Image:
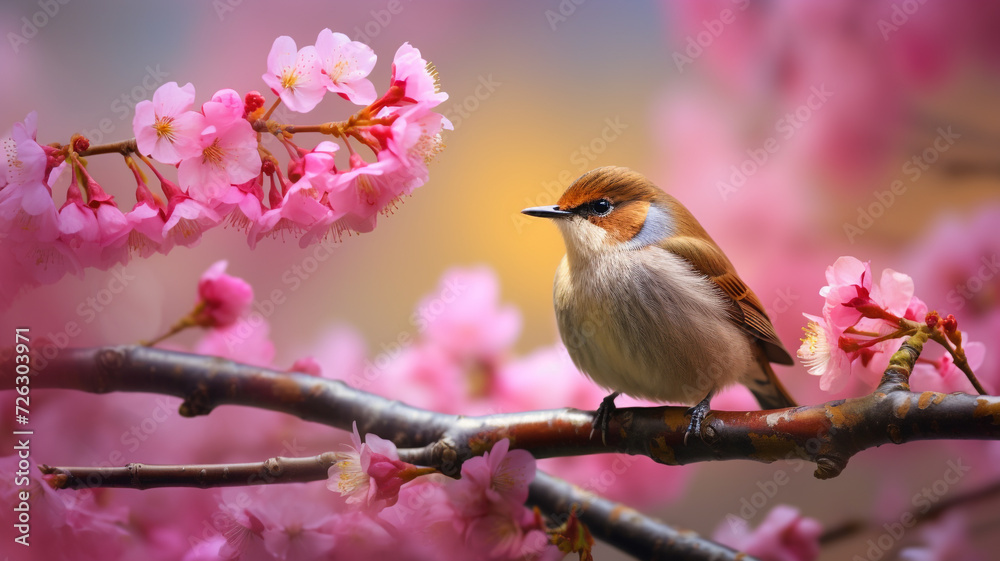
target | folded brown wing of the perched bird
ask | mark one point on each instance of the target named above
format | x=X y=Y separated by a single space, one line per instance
x=747 y=312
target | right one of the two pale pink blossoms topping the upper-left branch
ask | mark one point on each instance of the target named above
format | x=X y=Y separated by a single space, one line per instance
x=345 y=65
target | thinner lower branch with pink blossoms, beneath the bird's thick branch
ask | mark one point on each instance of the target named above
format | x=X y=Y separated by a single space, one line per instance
x=564 y=503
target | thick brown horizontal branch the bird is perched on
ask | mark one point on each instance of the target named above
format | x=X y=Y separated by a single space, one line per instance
x=828 y=434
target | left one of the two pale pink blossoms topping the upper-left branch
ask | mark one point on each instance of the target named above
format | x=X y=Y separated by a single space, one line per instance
x=295 y=75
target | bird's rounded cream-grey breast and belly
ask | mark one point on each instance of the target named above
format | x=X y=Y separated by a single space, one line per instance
x=643 y=322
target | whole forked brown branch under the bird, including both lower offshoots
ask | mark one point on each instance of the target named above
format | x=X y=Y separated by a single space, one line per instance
x=827 y=434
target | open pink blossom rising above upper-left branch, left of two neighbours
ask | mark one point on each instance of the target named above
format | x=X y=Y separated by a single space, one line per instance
x=164 y=127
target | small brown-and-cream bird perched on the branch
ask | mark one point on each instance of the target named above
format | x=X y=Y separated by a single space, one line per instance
x=648 y=304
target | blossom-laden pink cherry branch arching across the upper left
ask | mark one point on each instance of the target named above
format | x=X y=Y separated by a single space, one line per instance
x=222 y=162
